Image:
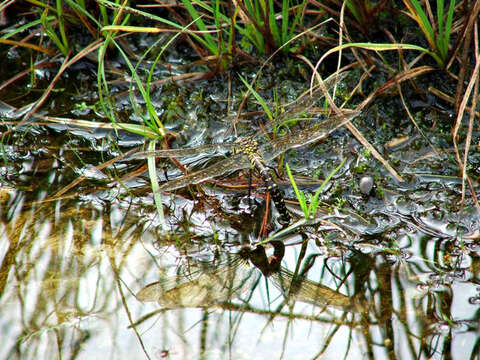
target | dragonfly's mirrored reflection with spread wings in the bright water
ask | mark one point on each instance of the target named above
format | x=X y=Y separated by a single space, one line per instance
x=197 y=286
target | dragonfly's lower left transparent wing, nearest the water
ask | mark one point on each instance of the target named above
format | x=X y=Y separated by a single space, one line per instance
x=233 y=163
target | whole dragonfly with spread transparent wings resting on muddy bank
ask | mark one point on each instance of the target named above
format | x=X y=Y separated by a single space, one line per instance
x=256 y=151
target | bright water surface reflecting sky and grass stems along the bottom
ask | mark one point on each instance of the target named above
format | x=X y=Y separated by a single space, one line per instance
x=70 y=271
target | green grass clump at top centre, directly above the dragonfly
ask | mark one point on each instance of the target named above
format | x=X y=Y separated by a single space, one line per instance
x=223 y=31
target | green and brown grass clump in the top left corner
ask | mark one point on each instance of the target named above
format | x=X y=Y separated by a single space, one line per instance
x=49 y=31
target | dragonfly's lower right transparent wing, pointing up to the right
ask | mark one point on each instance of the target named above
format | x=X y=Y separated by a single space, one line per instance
x=306 y=136
